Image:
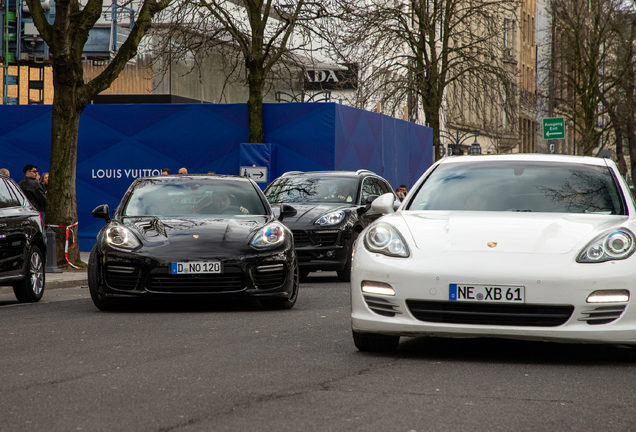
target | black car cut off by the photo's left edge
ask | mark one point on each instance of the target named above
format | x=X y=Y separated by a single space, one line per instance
x=22 y=243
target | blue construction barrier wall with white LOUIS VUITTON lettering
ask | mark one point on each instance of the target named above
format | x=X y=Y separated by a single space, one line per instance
x=119 y=143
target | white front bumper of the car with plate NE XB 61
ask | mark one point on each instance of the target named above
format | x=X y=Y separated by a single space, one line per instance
x=555 y=285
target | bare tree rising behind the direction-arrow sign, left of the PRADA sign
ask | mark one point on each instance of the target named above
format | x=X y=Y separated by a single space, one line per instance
x=256 y=39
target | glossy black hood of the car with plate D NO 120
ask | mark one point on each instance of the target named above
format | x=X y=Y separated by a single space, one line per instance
x=188 y=236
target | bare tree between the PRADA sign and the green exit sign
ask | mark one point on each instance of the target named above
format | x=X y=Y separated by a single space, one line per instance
x=441 y=56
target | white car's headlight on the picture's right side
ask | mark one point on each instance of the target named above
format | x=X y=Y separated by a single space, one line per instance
x=615 y=245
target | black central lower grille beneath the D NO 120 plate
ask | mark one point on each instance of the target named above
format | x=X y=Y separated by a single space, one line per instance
x=207 y=283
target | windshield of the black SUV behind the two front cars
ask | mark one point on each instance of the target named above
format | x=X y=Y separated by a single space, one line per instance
x=312 y=190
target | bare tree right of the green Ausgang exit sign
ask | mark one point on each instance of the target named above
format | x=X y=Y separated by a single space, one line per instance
x=583 y=68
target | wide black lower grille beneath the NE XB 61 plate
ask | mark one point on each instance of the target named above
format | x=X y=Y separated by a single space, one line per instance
x=490 y=314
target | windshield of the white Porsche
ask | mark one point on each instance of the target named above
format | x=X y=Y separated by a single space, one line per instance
x=520 y=186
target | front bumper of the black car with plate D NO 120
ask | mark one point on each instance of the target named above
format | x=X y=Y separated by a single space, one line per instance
x=139 y=275
